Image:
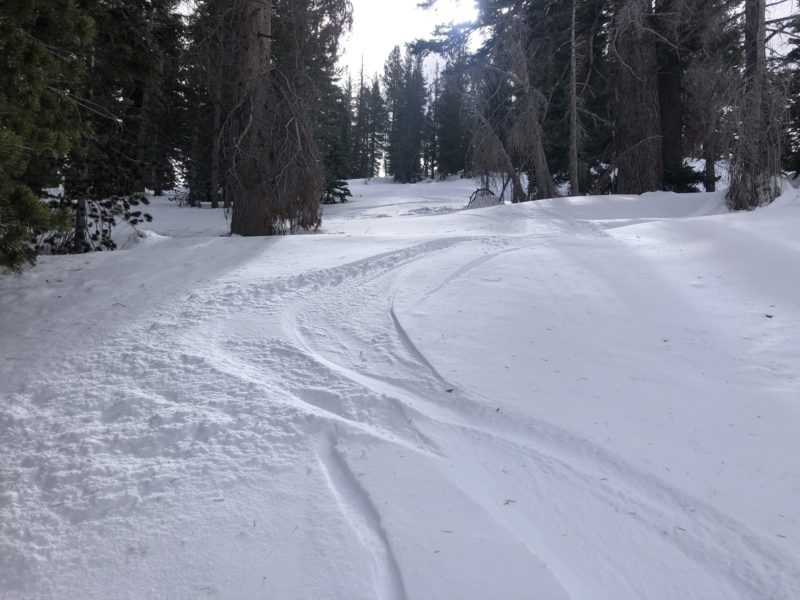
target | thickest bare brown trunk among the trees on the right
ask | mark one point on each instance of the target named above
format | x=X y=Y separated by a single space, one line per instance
x=638 y=117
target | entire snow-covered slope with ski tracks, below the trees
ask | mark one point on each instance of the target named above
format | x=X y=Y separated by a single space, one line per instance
x=579 y=398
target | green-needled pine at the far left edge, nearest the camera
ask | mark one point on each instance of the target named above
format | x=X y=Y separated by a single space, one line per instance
x=41 y=60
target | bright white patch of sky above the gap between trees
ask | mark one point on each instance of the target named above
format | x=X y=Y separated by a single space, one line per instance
x=380 y=25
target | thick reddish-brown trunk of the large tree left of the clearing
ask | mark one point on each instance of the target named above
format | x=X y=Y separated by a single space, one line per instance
x=251 y=193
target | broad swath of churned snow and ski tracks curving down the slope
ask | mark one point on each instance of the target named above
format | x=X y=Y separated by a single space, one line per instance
x=248 y=377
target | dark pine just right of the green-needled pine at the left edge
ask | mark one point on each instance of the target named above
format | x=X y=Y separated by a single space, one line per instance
x=130 y=95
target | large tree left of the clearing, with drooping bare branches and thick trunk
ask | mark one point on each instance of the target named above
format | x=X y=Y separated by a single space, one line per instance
x=267 y=101
